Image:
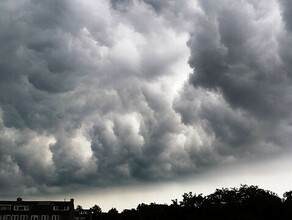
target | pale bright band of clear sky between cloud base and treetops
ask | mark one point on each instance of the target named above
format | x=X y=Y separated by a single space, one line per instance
x=128 y=197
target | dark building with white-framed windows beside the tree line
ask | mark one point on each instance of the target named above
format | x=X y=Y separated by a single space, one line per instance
x=36 y=210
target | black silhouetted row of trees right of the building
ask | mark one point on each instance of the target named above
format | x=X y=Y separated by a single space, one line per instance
x=245 y=202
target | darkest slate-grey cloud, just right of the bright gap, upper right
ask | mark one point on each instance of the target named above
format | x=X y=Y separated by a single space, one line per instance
x=236 y=55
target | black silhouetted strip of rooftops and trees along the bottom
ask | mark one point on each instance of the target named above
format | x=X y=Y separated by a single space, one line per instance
x=246 y=202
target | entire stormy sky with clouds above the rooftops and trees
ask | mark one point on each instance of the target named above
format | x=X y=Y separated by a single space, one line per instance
x=119 y=102
